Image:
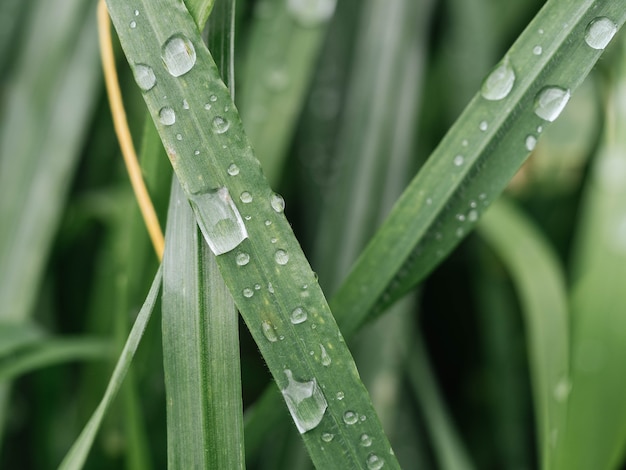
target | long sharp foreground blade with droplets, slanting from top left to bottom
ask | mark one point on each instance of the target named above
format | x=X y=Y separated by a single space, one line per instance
x=267 y=273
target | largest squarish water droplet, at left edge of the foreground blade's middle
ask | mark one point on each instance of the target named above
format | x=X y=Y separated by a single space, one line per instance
x=219 y=220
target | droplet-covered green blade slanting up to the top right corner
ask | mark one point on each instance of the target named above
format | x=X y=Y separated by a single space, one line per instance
x=478 y=156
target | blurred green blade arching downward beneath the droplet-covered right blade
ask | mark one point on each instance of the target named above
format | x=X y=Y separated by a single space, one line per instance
x=540 y=283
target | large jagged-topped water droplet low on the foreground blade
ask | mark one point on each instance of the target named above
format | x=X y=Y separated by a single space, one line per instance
x=305 y=401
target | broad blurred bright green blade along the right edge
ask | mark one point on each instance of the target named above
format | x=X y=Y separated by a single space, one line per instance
x=596 y=433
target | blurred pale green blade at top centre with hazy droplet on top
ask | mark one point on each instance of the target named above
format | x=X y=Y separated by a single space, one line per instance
x=282 y=50
